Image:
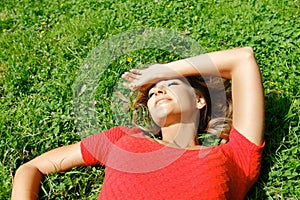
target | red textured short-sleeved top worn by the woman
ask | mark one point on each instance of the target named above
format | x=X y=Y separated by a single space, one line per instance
x=138 y=168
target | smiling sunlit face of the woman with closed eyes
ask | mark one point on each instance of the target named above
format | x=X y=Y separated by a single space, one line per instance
x=172 y=101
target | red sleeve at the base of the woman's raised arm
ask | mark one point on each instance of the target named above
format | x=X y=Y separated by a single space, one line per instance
x=245 y=154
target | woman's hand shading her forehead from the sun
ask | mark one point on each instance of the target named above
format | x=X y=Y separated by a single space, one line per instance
x=139 y=79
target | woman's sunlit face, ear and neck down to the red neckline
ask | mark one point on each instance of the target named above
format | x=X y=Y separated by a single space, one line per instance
x=174 y=106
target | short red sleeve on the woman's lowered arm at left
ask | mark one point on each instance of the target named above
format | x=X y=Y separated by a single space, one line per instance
x=95 y=148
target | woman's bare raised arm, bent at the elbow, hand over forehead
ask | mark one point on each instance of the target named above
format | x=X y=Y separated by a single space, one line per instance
x=239 y=65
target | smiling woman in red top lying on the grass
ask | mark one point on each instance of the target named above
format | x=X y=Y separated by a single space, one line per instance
x=176 y=166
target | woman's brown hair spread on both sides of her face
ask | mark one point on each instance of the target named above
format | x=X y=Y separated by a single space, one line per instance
x=215 y=116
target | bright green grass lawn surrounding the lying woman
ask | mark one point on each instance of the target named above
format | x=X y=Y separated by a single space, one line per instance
x=44 y=44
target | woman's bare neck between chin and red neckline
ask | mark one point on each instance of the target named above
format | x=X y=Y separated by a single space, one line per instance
x=182 y=135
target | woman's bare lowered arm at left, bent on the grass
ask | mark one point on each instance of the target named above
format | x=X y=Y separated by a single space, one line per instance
x=26 y=183
